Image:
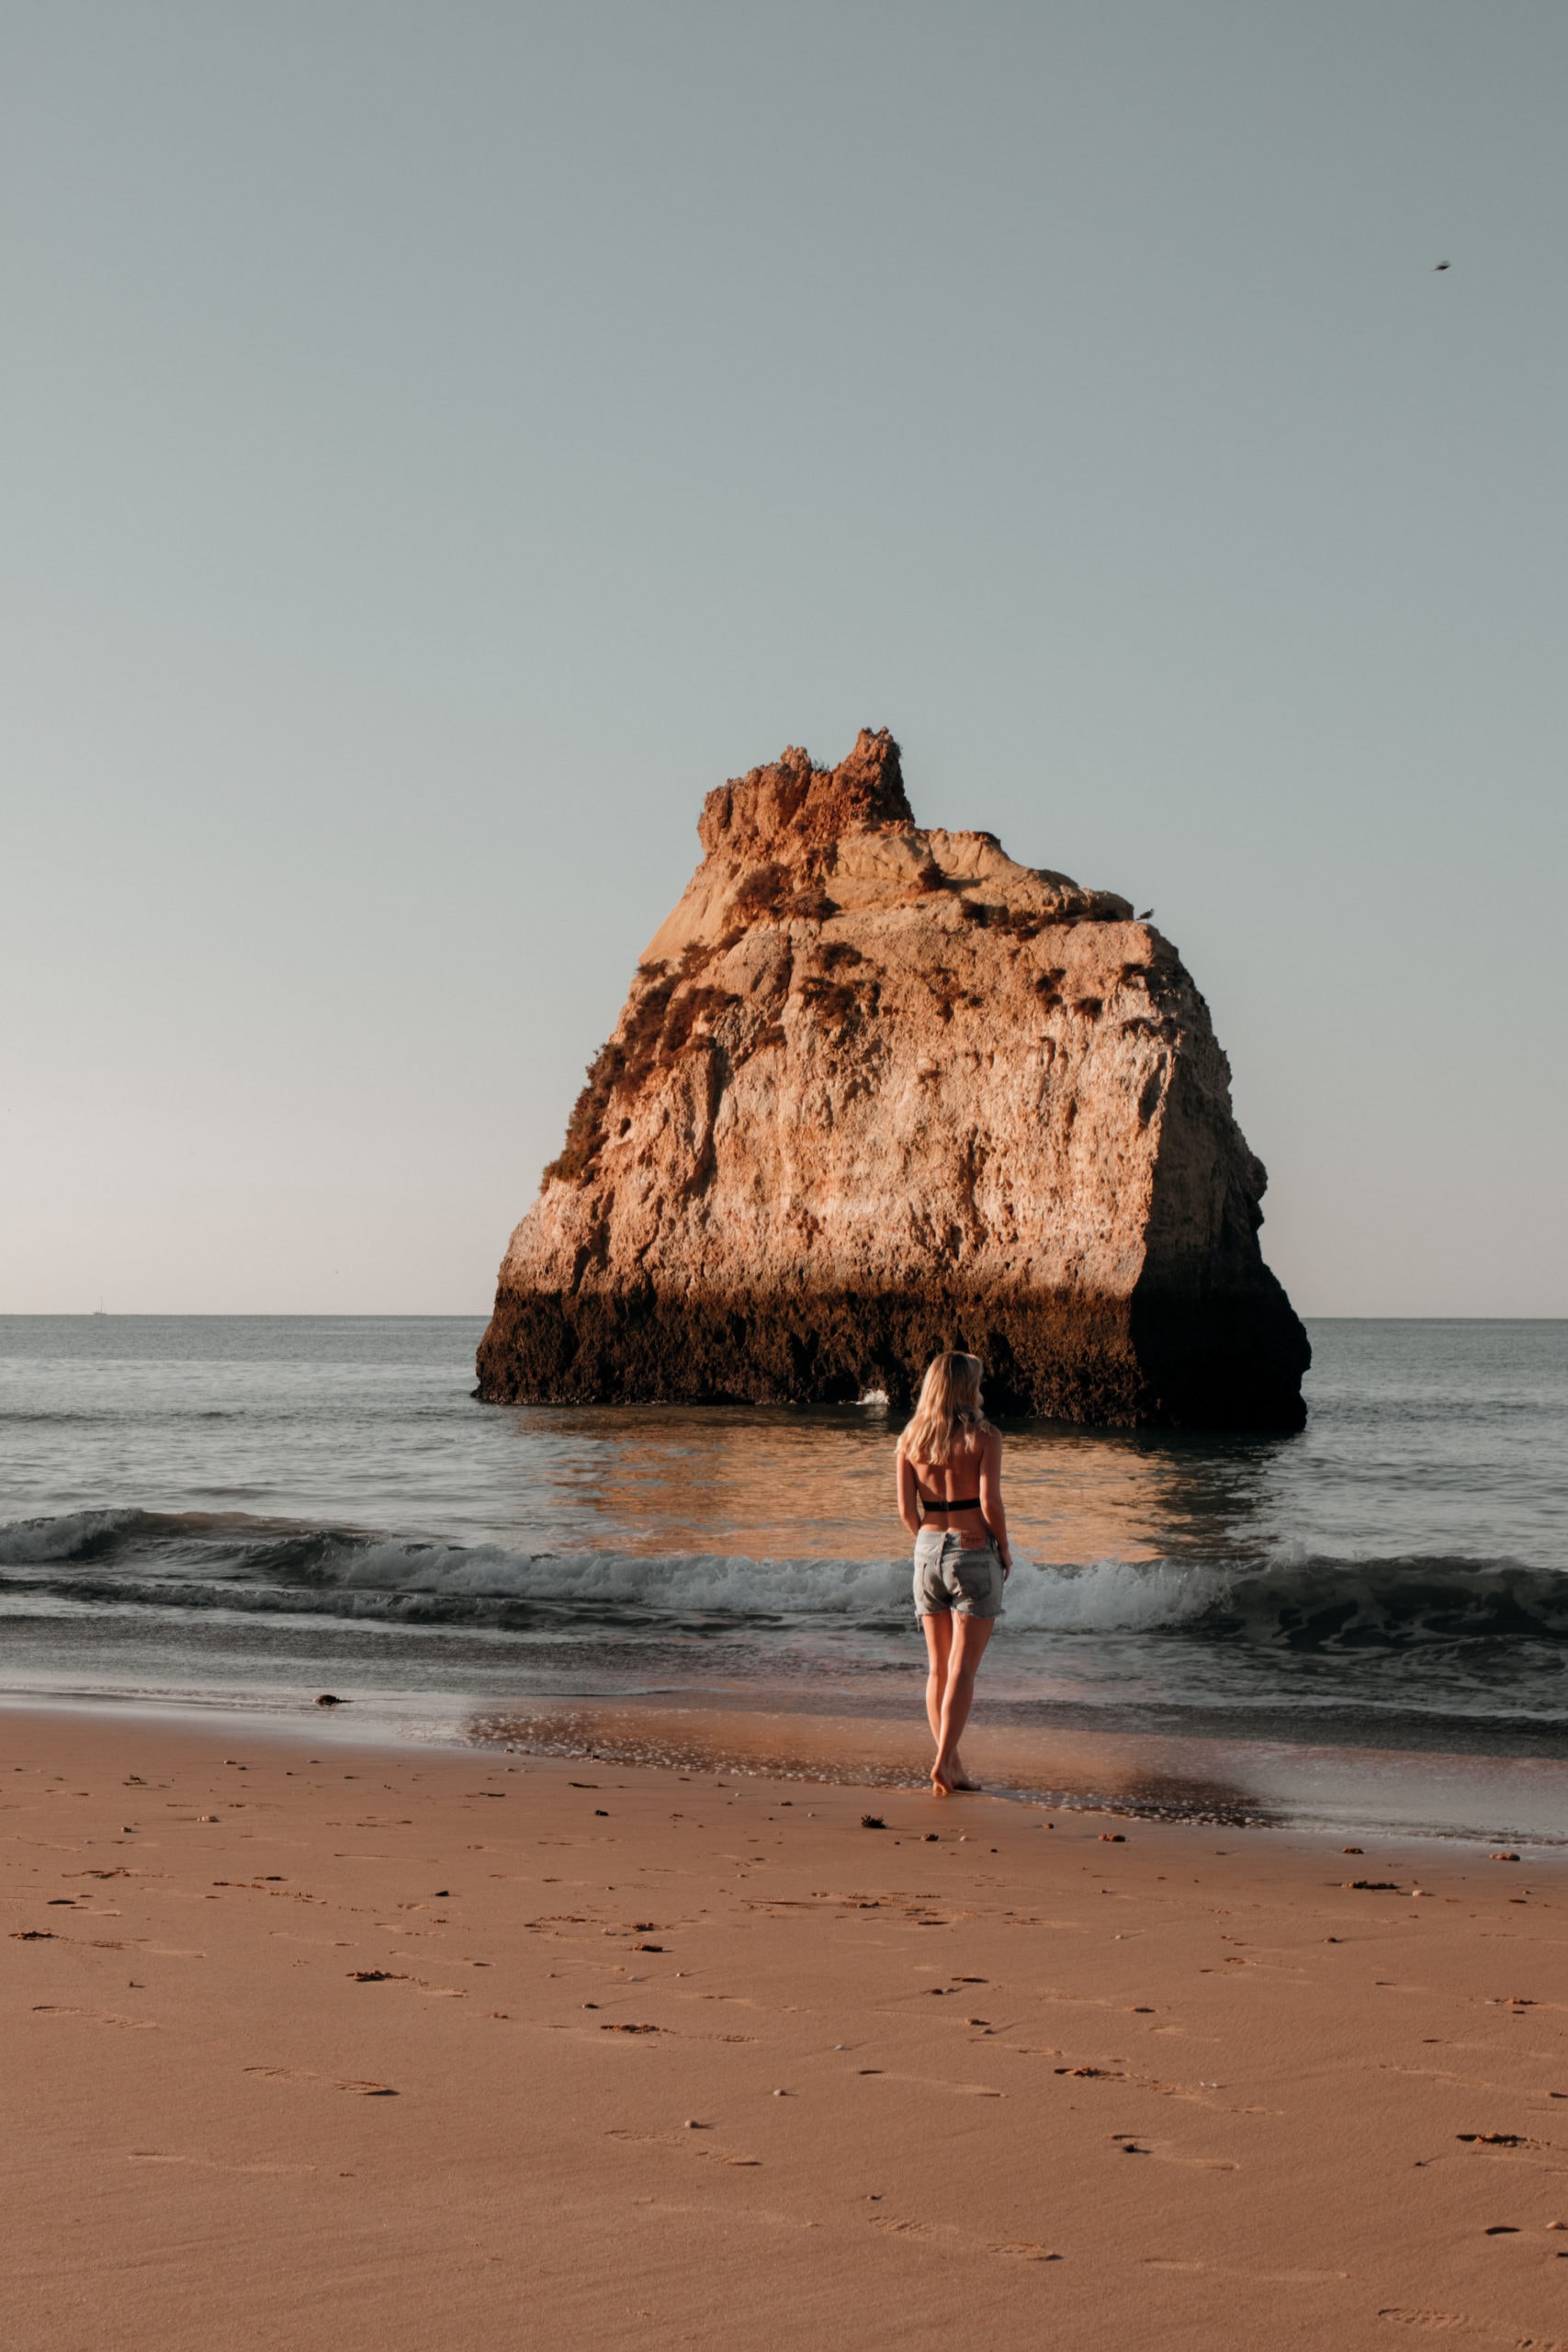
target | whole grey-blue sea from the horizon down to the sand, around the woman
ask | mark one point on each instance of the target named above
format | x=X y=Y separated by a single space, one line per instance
x=1358 y=1626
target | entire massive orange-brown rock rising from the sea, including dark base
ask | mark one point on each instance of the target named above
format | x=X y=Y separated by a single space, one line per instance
x=876 y=1093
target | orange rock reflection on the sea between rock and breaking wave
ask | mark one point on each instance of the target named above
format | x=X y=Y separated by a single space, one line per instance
x=819 y=1485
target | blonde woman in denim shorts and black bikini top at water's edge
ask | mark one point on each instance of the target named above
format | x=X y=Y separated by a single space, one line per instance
x=951 y=1471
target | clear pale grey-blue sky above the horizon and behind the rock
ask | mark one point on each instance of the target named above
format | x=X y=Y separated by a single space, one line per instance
x=441 y=443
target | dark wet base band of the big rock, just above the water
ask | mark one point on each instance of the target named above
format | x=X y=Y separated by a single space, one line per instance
x=1221 y=1363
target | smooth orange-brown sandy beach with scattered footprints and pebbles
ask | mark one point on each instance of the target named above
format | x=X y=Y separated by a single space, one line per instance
x=422 y=2050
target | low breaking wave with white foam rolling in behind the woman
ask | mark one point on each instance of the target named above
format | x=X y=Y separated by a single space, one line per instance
x=196 y=1561
